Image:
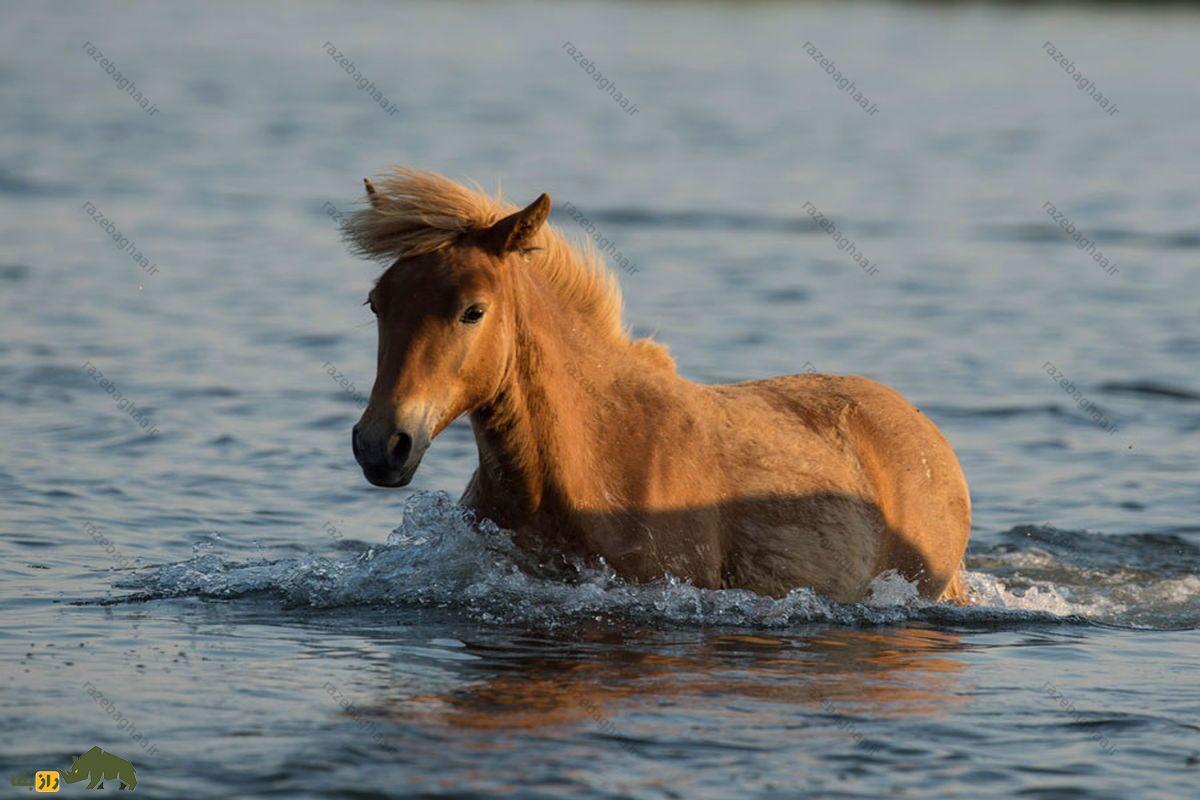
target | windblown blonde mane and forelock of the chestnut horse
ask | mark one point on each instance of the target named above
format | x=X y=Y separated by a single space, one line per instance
x=415 y=213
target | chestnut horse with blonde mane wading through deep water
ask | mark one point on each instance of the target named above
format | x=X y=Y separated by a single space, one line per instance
x=593 y=447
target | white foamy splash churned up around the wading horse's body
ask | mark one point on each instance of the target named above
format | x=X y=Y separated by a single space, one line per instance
x=442 y=556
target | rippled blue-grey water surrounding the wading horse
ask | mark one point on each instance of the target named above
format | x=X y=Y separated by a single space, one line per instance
x=231 y=590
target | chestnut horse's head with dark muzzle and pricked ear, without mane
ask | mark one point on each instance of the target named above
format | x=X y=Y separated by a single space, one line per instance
x=447 y=338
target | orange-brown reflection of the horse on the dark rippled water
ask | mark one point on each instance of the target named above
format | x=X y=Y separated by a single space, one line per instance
x=860 y=672
